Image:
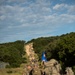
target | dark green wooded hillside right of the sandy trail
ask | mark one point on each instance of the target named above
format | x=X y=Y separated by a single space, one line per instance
x=61 y=48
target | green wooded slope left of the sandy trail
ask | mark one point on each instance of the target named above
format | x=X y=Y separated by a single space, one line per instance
x=12 y=53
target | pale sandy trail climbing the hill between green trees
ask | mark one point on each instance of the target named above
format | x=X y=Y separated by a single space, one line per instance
x=31 y=55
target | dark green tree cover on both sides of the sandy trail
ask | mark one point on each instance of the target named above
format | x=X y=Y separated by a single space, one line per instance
x=61 y=48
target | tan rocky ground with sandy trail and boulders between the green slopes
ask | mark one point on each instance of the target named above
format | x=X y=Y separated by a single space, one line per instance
x=51 y=67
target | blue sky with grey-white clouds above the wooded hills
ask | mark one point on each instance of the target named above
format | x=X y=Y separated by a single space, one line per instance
x=30 y=19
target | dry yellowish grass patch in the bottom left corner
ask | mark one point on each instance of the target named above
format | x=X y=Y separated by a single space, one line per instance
x=12 y=71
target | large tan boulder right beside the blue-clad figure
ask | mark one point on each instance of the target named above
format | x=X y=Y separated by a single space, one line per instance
x=52 y=67
